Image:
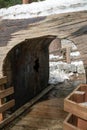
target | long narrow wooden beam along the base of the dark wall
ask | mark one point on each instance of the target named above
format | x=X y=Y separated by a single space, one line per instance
x=24 y=107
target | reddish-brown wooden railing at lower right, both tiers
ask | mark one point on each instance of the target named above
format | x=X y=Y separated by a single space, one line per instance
x=76 y=104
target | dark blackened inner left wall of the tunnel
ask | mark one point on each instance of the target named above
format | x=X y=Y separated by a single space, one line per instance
x=27 y=68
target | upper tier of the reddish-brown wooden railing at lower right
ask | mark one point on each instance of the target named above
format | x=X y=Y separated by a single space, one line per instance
x=73 y=102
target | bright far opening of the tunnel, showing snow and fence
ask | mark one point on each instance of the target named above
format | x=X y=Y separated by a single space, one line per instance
x=62 y=73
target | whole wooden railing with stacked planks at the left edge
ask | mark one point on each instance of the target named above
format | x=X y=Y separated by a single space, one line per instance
x=4 y=93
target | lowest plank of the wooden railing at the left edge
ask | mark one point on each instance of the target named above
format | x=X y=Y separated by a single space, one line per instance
x=7 y=105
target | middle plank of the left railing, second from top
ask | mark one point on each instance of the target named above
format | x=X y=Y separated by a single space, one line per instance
x=6 y=92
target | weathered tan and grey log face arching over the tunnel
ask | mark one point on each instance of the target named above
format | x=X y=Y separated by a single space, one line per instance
x=71 y=26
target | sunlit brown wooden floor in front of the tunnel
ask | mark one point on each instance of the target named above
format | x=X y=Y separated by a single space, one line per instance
x=44 y=115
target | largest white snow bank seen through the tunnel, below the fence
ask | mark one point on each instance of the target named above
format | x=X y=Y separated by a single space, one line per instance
x=60 y=71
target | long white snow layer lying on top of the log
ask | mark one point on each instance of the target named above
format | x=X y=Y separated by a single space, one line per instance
x=43 y=8
